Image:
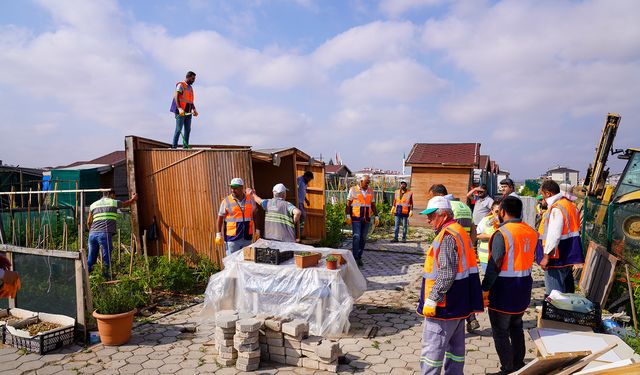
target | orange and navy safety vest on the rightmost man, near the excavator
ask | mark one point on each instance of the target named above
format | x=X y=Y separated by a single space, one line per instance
x=569 y=250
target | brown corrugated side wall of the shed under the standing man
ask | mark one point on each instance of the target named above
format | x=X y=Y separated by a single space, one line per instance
x=182 y=190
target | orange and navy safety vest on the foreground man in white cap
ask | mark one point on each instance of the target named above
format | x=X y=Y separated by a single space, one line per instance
x=465 y=295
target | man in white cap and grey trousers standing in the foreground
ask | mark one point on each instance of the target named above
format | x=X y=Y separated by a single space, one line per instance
x=450 y=291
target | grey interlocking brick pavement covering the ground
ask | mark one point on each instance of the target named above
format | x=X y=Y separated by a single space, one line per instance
x=163 y=348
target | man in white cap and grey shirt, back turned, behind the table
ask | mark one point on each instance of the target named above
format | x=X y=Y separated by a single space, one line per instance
x=280 y=217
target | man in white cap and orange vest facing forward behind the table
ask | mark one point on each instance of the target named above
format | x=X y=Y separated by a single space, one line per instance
x=235 y=218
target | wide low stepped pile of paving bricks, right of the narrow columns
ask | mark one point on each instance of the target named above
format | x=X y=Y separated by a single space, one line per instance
x=288 y=342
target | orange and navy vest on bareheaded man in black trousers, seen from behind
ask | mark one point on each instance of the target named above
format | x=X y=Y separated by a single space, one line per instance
x=511 y=292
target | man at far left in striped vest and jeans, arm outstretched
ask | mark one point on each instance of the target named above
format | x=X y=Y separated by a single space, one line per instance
x=102 y=224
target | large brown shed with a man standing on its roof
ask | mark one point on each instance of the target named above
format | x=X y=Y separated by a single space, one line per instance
x=181 y=190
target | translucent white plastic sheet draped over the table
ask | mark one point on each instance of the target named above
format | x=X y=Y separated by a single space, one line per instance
x=320 y=296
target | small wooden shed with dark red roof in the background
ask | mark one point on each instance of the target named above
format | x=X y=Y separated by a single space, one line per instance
x=450 y=164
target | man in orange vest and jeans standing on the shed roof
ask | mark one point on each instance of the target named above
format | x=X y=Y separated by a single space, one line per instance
x=183 y=108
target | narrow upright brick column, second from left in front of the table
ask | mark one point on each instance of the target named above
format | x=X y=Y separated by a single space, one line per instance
x=246 y=343
